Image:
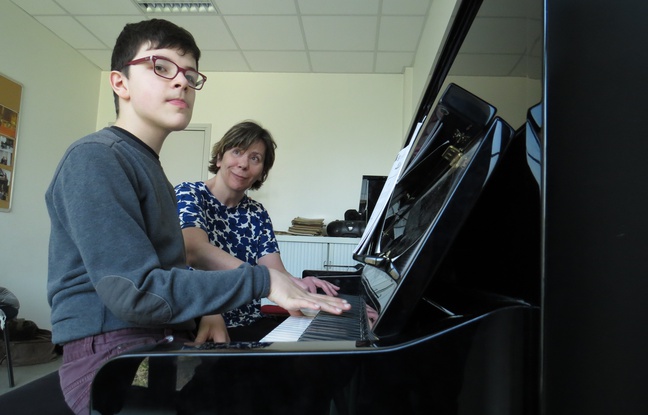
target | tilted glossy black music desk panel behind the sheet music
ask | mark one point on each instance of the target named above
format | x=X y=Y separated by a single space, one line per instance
x=437 y=162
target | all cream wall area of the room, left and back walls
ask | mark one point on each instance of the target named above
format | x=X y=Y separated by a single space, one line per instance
x=330 y=130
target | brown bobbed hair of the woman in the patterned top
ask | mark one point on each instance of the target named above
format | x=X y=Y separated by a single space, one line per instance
x=242 y=136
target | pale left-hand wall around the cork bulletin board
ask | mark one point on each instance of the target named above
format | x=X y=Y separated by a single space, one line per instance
x=59 y=105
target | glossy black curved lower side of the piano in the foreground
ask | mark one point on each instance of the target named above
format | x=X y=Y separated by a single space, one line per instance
x=476 y=365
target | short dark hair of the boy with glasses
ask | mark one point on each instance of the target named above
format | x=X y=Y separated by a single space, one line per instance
x=159 y=34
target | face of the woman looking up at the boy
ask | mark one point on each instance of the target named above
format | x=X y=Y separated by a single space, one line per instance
x=239 y=168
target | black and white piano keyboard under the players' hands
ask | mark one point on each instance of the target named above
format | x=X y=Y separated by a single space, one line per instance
x=350 y=325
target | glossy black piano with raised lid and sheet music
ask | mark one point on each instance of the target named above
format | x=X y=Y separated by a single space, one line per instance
x=451 y=264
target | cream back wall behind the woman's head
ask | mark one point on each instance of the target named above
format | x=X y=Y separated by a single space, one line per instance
x=330 y=129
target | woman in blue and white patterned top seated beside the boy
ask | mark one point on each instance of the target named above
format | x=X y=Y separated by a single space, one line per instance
x=223 y=227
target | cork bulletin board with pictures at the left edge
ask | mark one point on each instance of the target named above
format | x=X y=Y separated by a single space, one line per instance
x=10 y=94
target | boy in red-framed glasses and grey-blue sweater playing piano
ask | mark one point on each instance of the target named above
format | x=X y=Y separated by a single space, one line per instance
x=117 y=275
